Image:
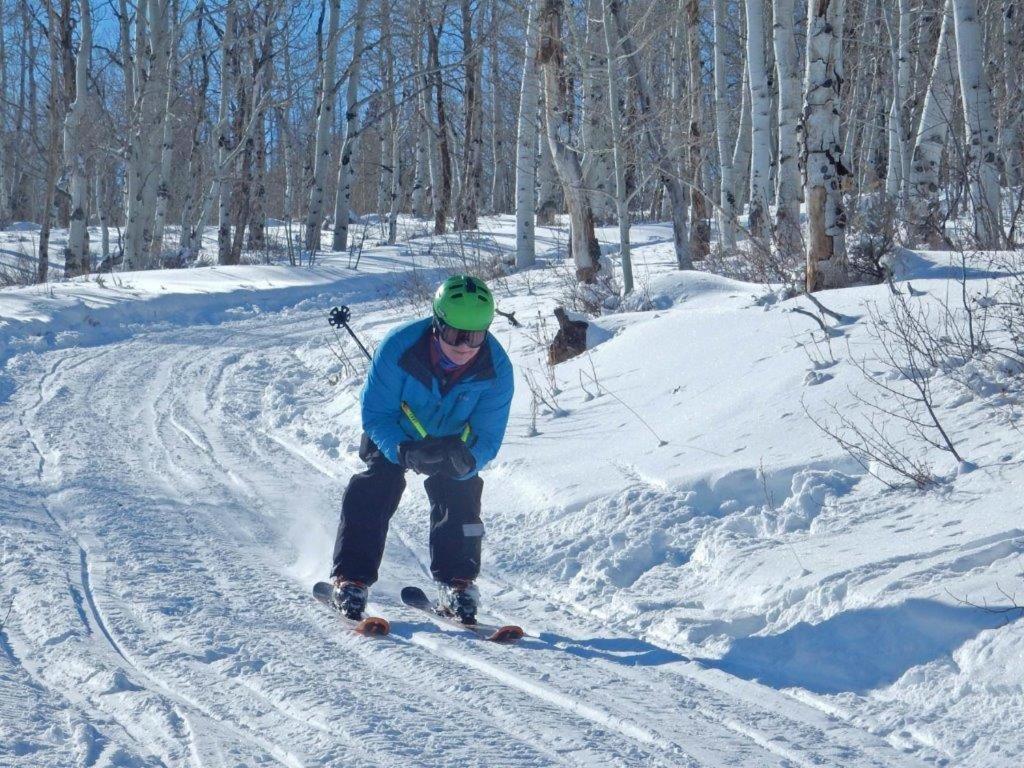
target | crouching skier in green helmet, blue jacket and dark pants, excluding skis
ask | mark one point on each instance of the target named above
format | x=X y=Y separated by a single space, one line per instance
x=437 y=402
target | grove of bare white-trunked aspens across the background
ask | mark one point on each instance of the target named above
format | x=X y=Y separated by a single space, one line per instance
x=786 y=140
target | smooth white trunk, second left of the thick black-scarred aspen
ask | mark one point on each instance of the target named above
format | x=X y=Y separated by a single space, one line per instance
x=760 y=122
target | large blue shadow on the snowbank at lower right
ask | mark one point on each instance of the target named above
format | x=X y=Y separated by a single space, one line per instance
x=859 y=651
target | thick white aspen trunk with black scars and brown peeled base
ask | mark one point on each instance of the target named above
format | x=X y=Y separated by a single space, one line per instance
x=827 y=263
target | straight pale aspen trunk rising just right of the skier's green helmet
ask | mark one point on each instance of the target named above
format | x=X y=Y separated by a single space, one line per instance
x=526 y=167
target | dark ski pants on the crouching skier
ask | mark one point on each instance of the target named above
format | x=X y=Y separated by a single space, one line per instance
x=370 y=502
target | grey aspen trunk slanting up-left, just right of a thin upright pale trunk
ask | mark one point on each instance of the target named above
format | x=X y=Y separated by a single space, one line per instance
x=656 y=145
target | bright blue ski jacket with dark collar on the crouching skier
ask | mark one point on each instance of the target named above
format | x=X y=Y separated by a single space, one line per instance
x=402 y=372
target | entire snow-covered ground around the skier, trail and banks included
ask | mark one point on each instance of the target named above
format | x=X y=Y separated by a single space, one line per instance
x=706 y=579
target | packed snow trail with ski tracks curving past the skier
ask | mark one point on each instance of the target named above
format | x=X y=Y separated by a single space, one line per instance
x=163 y=502
